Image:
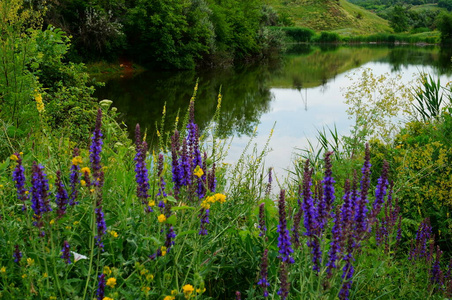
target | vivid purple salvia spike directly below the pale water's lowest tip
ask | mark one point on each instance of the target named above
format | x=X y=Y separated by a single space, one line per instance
x=284 y=243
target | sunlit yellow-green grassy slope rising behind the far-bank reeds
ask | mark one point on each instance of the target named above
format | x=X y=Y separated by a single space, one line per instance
x=343 y=17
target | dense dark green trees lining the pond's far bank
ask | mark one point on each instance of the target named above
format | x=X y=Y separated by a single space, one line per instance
x=170 y=33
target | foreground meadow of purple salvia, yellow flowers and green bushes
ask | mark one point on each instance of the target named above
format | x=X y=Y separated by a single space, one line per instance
x=86 y=212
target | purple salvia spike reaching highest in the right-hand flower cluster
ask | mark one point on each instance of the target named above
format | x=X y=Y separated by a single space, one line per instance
x=361 y=225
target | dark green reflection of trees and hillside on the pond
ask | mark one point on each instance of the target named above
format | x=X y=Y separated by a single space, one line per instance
x=246 y=90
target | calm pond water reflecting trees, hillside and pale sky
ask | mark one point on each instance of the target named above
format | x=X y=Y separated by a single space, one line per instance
x=301 y=91
